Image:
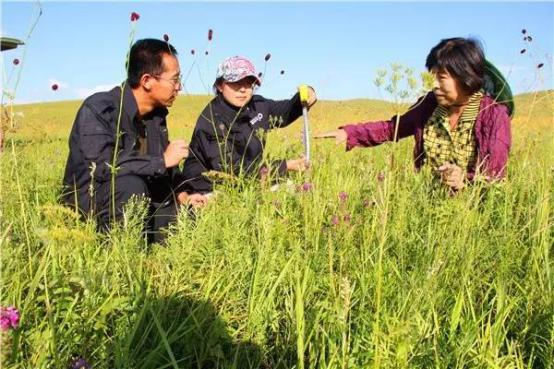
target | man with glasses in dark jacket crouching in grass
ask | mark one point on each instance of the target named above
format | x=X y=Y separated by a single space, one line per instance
x=130 y=121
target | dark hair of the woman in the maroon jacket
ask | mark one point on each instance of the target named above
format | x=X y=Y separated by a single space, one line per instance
x=463 y=58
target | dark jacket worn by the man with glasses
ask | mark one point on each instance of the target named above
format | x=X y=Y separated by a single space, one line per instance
x=93 y=139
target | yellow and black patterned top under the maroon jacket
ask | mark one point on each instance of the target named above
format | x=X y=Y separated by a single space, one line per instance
x=442 y=145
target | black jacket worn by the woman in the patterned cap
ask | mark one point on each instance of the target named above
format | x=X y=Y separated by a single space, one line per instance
x=231 y=140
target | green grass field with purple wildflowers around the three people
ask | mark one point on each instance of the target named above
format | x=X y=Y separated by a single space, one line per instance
x=392 y=275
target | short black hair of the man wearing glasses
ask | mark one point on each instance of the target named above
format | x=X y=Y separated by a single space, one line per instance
x=146 y=57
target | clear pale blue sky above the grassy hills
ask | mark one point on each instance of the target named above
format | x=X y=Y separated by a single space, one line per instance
x=336 y=47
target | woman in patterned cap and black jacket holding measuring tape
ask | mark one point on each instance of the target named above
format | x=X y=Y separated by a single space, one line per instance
x=229 y=136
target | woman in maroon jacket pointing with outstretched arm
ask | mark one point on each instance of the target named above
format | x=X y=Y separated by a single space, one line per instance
x=459 y=129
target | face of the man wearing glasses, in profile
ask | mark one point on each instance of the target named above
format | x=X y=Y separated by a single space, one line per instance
x=166 y=86
